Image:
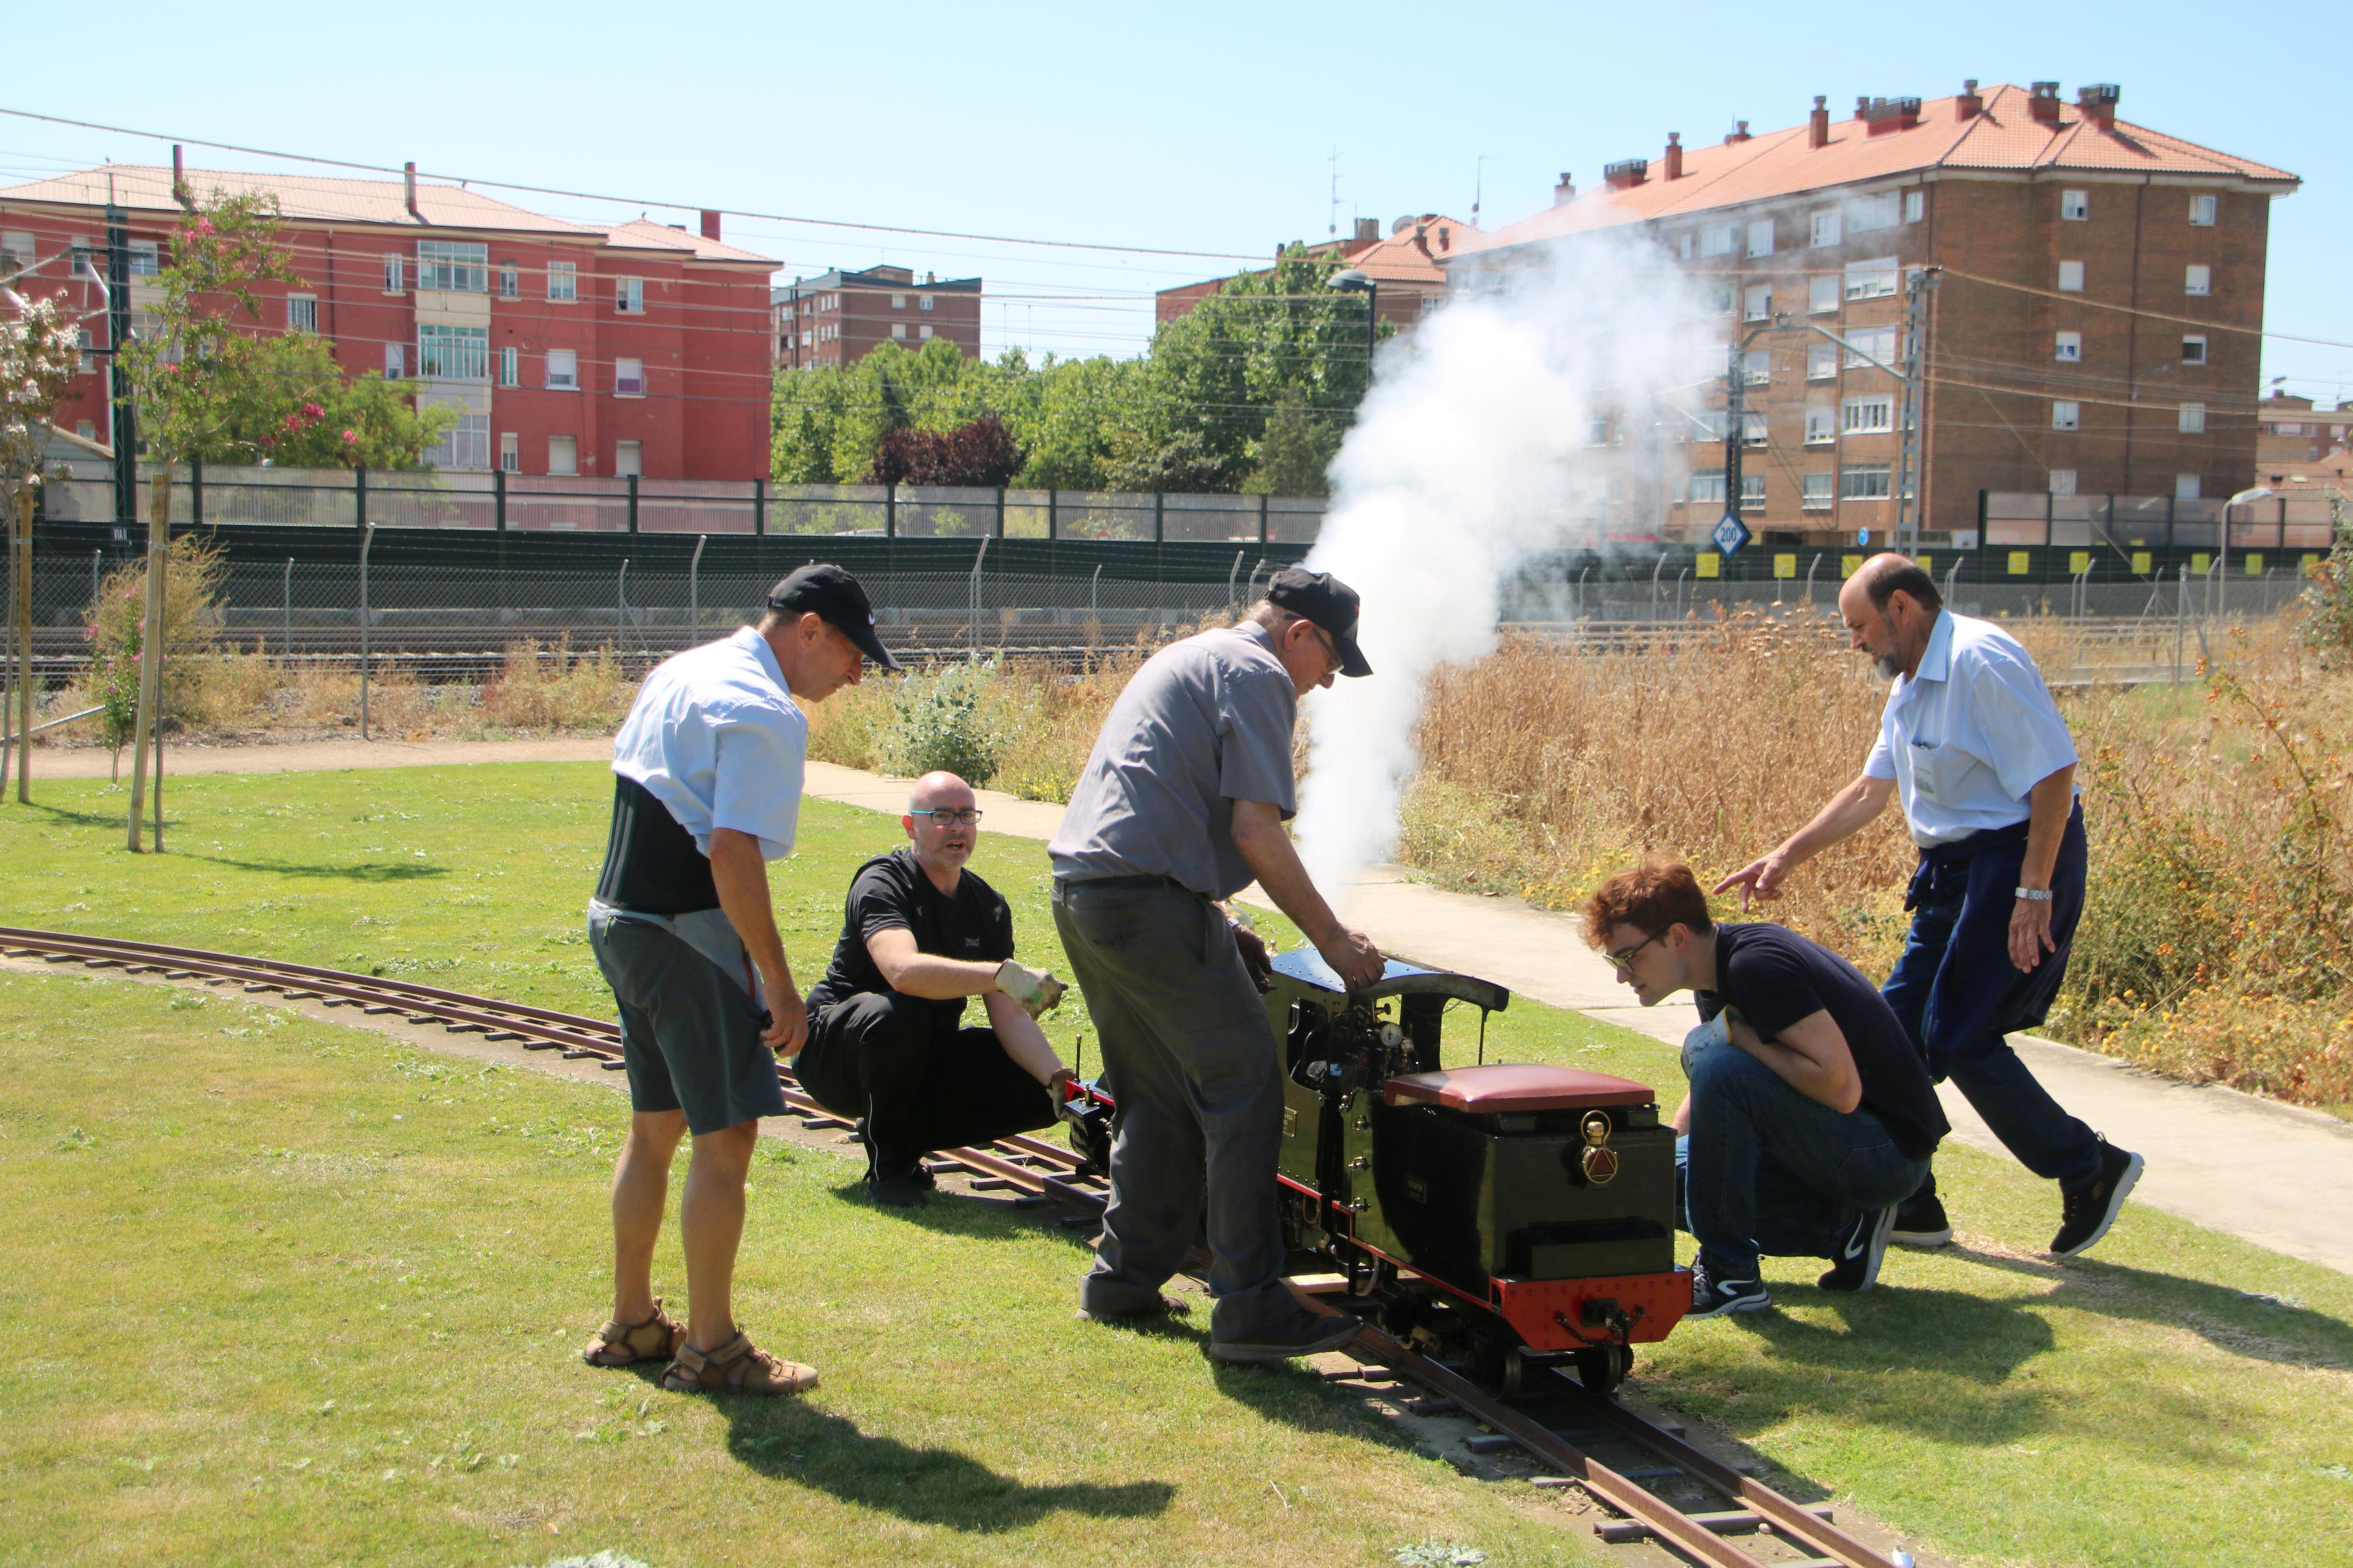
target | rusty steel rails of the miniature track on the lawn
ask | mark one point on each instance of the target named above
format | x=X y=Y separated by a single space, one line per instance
x=1053 y=1174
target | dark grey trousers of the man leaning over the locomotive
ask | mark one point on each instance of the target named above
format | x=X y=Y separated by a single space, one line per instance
x=1199 y=1099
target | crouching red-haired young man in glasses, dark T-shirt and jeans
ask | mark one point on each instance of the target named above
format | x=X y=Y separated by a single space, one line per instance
x=1811 y=1113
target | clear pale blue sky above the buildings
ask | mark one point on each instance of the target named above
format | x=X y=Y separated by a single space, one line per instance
x=1194 y=128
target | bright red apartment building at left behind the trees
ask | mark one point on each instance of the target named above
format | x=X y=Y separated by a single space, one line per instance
x=566 y=349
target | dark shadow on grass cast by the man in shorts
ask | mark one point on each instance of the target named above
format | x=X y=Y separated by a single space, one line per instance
x=935 y=1487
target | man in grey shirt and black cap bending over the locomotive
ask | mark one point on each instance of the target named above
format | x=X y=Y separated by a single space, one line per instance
x=1180 y=808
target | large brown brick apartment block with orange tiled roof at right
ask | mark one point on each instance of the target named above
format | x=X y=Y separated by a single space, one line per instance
x=2093 y=328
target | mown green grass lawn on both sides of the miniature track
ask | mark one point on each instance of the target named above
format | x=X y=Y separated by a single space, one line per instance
x=316 y=1296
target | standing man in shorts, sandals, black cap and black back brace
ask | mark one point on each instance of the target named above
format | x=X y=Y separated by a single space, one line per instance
x=707 y=791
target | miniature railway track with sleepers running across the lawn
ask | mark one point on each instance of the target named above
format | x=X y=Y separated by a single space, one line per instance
x=1620 y=1459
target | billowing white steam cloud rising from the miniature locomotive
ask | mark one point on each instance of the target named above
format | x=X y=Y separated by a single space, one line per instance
x=1474 y=455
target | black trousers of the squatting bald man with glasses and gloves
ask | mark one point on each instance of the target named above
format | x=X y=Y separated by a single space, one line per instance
x=884 y=1059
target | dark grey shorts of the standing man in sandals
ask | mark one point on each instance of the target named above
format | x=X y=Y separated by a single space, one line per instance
x=691 y=1036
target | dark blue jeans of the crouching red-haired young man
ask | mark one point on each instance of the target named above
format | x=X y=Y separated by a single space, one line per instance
x=1773 y=1172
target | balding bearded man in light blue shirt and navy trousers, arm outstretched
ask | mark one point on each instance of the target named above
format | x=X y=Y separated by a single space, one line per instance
x=1987 y=772
